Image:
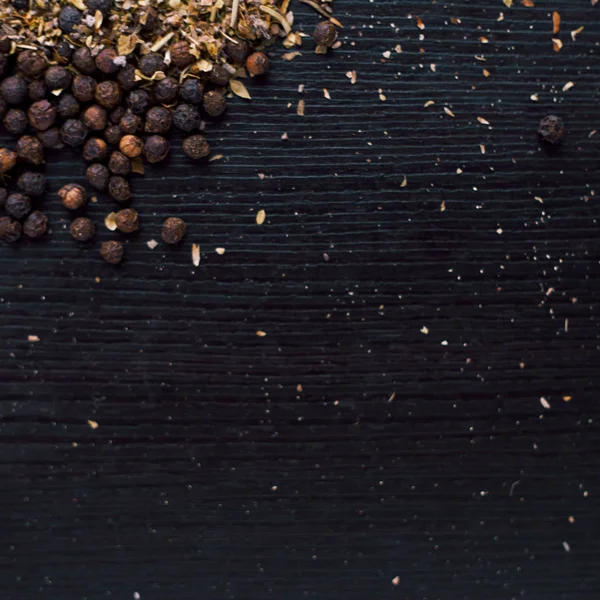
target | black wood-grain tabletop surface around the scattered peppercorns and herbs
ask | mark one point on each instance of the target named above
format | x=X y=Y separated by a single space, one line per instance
x=211 y=474
